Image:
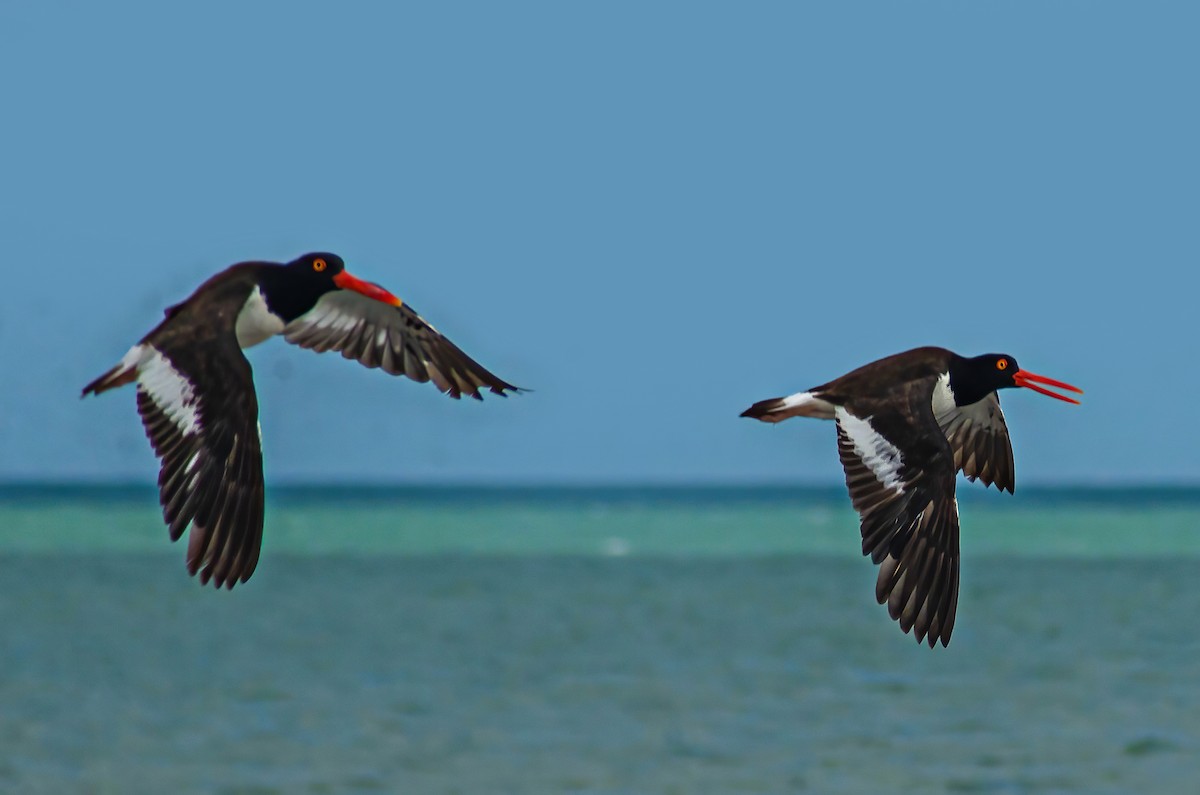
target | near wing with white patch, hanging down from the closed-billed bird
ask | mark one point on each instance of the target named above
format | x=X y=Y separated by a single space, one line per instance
x=197 y=402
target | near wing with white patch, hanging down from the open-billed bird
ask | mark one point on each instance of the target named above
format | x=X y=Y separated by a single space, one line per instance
x=903 y=488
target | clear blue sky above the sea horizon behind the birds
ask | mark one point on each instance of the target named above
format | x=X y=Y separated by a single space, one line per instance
x=652 y=214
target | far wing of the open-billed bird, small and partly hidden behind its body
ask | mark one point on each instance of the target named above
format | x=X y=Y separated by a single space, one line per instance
x=980 y=439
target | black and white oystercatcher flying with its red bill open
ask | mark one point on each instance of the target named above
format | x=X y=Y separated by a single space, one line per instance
x=907 y=425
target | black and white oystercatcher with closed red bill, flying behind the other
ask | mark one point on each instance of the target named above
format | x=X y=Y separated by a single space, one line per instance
x=197 y=401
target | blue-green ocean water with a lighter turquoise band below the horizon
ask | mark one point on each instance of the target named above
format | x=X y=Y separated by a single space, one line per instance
x=597 y=641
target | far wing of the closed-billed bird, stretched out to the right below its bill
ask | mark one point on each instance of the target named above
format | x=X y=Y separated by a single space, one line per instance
x=393 y=338
